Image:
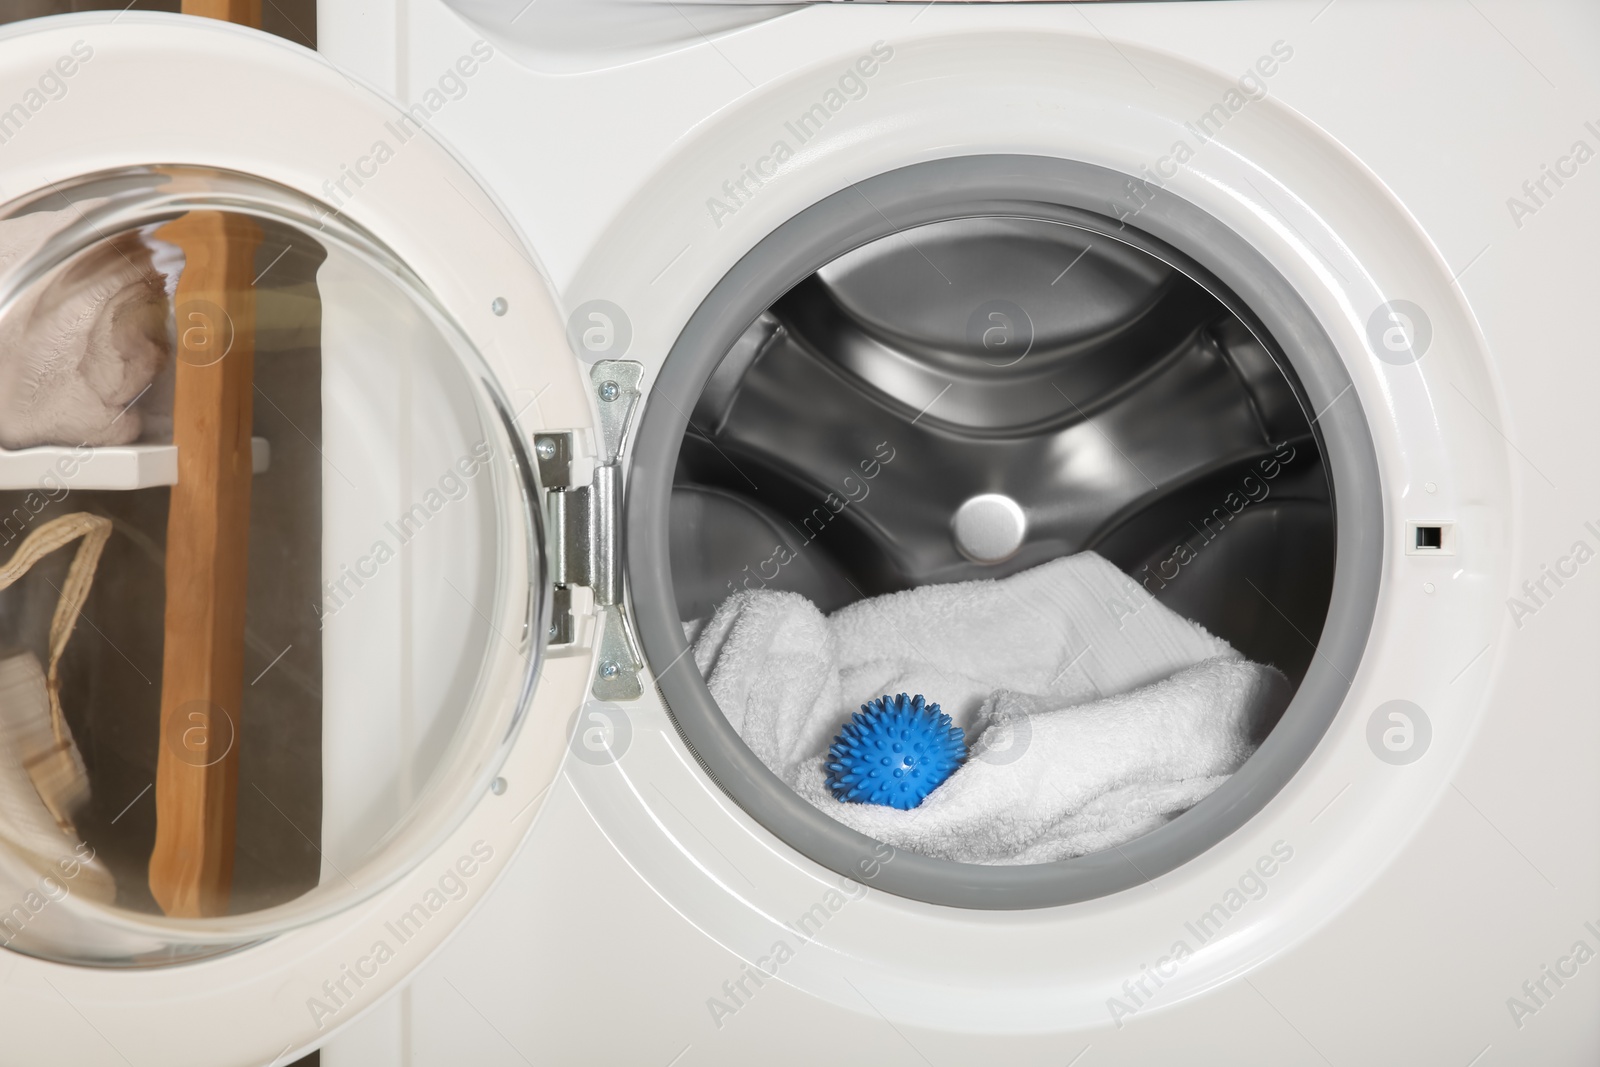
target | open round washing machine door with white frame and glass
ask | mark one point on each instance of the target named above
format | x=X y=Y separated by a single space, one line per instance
x=282 y=367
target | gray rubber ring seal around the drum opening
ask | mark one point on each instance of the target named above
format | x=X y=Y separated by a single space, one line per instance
x=1076 y=194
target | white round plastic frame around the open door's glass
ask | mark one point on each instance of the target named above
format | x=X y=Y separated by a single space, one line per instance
x=290 y=993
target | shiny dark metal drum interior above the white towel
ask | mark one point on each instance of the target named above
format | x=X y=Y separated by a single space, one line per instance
x=1110 y=406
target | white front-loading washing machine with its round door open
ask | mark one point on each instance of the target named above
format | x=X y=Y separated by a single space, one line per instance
x=564 y=324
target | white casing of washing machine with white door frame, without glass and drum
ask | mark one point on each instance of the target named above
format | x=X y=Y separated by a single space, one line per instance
x=1415 y=897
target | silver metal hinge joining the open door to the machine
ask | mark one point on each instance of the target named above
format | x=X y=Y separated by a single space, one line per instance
x=585 y=530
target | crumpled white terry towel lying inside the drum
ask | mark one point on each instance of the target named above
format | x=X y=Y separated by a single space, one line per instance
x=1095 y=714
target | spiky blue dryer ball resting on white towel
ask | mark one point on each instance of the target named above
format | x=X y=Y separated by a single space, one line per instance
x=895 y=751
